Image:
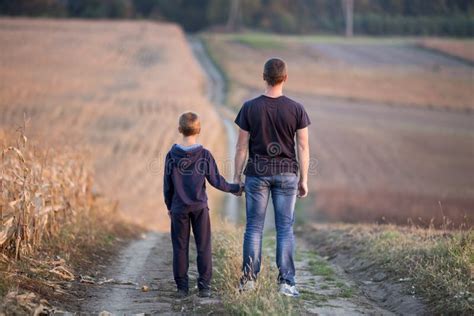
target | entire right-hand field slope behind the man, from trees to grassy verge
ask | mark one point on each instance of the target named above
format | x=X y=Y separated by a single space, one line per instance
x=378 y=159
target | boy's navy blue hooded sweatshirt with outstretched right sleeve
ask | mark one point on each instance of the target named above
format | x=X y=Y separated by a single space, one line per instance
x=185 y=177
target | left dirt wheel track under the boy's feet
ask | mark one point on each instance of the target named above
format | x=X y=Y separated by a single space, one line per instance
x=146 y=262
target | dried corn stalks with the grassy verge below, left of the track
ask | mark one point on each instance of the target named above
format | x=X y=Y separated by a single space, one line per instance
x=53 y=227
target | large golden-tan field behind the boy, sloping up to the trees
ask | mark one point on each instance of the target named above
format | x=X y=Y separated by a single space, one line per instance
x=113 y=88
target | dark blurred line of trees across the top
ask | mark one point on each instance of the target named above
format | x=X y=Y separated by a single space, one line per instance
x=373 y=17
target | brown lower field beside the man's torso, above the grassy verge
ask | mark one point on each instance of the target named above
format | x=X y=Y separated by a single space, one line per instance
x=389 y=164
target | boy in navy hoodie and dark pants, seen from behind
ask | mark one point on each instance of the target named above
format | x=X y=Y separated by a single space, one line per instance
x=187 y=167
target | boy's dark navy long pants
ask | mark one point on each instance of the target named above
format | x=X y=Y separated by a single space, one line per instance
x=180 y=229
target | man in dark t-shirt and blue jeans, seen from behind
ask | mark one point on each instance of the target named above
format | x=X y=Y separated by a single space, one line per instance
x=268 y=126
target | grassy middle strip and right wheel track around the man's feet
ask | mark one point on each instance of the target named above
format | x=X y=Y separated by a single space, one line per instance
x=322 y=288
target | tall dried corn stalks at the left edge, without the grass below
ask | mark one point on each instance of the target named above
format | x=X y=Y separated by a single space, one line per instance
x=41 y=191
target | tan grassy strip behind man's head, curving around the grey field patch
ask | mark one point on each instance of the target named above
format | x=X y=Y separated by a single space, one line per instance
x=312 y=72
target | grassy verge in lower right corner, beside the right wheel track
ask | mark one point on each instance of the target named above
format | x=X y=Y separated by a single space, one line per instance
x=438 y=264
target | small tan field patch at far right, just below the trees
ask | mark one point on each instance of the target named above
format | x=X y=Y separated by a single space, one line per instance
x=463 y=49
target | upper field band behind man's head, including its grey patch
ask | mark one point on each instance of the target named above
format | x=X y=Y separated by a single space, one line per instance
x=402 y=73
